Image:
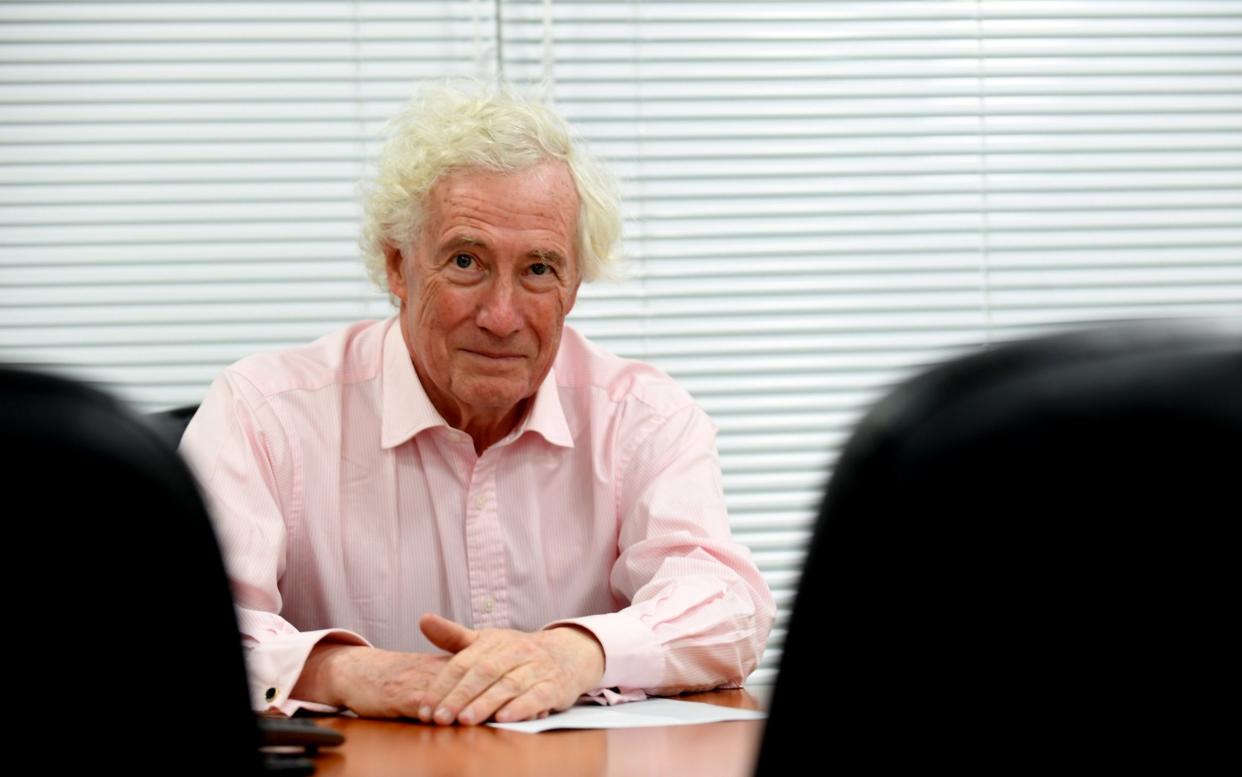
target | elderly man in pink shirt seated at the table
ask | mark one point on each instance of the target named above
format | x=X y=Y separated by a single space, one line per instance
x=552 y=512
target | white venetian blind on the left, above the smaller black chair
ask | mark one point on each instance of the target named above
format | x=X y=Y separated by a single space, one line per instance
x=178 y=181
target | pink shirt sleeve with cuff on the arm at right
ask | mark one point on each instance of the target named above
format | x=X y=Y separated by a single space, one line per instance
x=700 y=611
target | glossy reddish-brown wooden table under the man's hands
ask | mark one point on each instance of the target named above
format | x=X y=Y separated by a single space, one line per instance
x=392 y=749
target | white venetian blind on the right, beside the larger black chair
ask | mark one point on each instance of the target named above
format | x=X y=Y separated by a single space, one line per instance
x=824 y=197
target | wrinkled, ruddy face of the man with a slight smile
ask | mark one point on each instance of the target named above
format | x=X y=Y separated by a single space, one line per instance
x=487 y=289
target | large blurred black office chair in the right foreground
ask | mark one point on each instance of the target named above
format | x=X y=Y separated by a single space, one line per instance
x=1030 y=555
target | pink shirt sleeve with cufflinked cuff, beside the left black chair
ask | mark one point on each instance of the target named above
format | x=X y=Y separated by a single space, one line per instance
x=248 y=472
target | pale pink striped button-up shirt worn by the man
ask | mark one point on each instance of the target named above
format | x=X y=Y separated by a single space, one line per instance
x=347 y=508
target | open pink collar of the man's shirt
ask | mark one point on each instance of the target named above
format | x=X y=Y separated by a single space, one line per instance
x=407 y=410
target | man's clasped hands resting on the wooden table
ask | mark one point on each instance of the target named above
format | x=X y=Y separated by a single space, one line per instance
x=494 y=673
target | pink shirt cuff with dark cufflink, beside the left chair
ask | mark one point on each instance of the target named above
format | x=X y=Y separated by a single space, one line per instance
x=276 y=665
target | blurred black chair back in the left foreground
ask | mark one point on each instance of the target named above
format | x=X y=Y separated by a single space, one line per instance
x=126 y=646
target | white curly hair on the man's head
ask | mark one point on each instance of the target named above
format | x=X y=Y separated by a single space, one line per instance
x=461 y=125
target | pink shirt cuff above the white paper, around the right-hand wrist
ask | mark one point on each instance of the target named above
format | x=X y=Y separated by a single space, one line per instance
x=633 y=657
